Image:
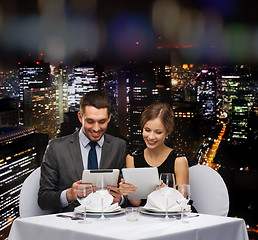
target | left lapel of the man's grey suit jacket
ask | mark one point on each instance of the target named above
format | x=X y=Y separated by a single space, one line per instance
x=74 y=148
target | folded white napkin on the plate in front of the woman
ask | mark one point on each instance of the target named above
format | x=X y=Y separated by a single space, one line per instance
x=156 y=201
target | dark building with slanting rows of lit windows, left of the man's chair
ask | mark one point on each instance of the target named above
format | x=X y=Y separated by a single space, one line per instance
x=21 y=150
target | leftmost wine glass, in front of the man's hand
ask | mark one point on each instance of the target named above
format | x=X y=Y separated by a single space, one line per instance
x=83 y=191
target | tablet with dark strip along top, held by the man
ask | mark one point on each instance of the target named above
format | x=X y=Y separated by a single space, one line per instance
x=101 y=177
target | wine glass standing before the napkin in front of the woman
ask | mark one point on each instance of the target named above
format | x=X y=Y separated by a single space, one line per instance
x=167 y=182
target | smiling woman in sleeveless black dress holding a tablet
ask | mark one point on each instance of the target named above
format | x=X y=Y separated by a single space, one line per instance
x=157 y=123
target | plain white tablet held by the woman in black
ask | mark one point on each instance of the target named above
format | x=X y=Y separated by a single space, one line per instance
x=145 y=179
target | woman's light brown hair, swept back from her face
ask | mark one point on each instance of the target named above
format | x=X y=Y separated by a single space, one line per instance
x=159 y=110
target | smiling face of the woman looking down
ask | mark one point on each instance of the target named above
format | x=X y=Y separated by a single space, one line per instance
x=154 y=133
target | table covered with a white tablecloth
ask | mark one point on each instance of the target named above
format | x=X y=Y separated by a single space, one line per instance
x=203 y=227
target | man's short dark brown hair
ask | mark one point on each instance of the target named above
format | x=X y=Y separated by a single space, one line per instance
x=96 y=99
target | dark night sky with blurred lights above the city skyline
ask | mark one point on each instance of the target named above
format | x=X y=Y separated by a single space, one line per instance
x=111 y=30
